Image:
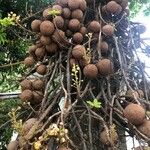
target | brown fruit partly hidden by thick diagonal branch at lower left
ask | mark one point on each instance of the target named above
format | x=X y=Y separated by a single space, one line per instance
x=28 y=125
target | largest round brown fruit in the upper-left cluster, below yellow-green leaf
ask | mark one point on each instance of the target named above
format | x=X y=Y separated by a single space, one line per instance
x=47 y=28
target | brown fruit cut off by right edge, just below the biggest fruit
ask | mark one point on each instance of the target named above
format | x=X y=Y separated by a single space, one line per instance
x=145 y=128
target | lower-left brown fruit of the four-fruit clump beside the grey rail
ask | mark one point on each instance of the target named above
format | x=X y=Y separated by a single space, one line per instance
x=26 y=96
